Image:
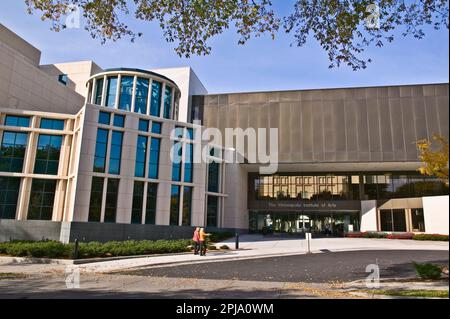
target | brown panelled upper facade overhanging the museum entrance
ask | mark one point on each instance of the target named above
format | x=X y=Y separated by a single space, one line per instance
x=374 y=124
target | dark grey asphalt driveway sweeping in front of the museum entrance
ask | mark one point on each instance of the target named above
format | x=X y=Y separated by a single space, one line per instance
x=325 y=267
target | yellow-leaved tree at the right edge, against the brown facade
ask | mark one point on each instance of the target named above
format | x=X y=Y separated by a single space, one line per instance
x=434 y=157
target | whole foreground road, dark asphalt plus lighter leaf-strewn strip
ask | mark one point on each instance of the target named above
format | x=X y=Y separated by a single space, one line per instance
x=302 y=276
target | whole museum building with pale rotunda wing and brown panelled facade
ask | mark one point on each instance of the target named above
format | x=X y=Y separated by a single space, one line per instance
x=102 y=154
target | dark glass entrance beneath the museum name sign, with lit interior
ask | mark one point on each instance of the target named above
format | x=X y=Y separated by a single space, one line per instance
x=319 y=223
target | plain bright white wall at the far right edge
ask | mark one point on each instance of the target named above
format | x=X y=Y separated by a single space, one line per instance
x=436 y=213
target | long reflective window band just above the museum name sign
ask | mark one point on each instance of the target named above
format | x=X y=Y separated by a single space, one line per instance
x=347 y=187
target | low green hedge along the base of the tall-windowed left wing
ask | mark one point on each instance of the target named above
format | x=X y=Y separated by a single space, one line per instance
x=53 y=249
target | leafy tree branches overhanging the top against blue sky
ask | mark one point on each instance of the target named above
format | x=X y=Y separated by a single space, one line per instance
x=343 y=28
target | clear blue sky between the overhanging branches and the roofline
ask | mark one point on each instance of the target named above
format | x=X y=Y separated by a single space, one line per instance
x=261 y=65
